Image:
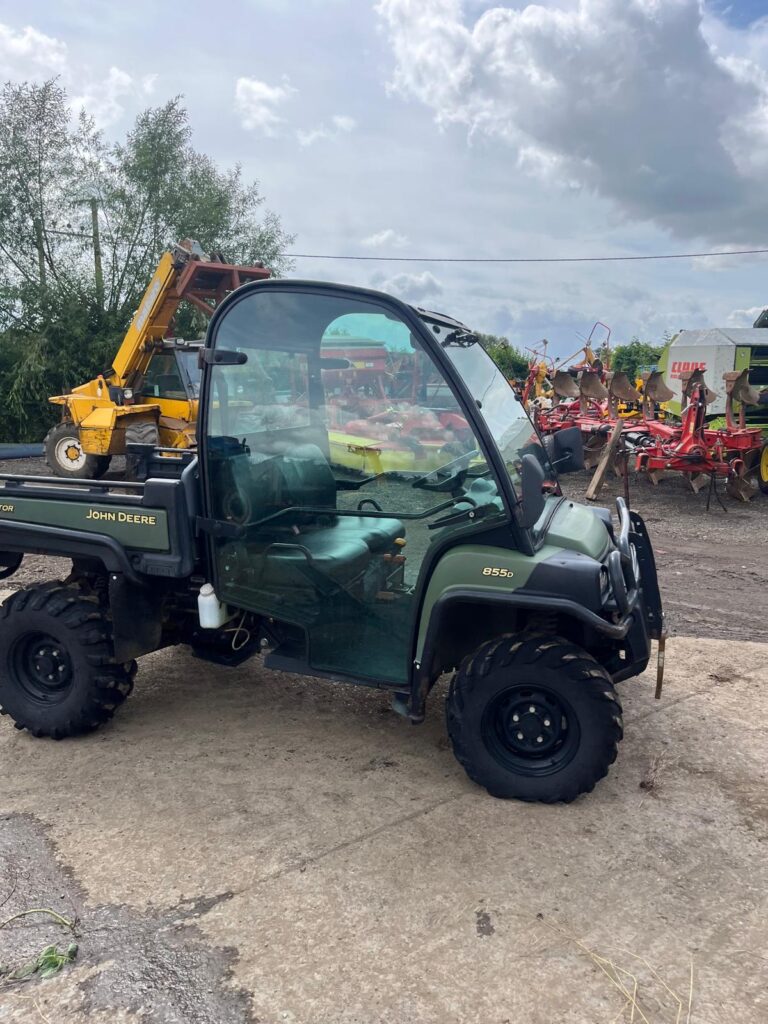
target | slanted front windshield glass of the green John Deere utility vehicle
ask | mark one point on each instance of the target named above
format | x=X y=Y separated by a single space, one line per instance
x=505 y=416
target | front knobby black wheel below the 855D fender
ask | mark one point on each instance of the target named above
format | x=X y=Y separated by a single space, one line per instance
x=534 y=717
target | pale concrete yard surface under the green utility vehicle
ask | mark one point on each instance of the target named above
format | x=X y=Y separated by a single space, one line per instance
x=245 y=846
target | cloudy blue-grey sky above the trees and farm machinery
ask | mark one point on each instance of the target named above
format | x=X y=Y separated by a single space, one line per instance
x=444 y=129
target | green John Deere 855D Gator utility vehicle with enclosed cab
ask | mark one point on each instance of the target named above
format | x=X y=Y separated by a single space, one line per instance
x=260 y=543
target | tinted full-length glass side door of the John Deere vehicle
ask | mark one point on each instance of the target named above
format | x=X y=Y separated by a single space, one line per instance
x=342 y=453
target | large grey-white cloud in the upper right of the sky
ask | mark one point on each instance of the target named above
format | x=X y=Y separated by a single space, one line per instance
x=627 y=99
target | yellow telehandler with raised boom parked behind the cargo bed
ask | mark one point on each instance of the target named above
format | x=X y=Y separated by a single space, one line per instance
x=150 y=395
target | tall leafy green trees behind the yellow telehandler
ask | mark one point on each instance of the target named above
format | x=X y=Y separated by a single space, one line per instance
x=61 y=323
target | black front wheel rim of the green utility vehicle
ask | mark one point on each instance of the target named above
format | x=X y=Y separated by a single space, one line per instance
x=531 y=731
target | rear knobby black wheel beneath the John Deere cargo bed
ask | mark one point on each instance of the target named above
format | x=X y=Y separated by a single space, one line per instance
x=57 y=675
